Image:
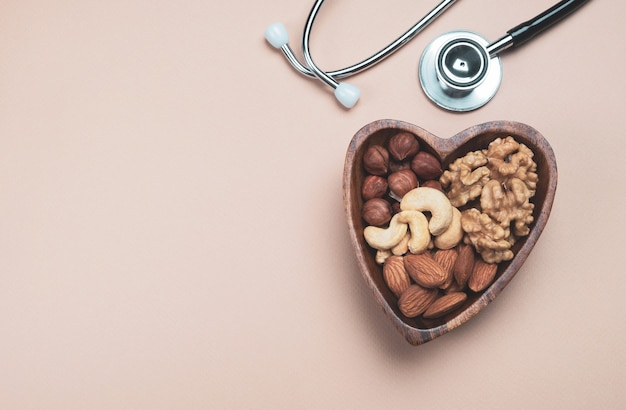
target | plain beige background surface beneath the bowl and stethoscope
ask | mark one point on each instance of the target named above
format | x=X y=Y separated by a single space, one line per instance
x=172 y=233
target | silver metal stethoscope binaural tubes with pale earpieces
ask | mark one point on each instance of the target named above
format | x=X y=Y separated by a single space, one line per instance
x=346 y=94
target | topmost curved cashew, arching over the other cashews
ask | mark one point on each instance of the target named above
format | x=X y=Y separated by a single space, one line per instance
x=431 y=200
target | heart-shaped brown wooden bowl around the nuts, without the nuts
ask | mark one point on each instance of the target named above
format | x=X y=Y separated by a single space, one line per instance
x=418 y=330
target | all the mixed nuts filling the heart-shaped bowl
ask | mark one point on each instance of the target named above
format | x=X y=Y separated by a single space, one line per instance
x=439 y=235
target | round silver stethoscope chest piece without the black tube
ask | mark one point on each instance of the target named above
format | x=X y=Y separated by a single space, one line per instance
x=457 y=73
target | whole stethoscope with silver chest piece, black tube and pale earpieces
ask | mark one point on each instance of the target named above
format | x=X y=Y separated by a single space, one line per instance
x=458 y=71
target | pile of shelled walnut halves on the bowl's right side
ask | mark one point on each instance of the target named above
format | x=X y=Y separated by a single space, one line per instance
x=495 y=186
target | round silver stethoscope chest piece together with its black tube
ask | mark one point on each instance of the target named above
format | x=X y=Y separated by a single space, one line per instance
x=461 y=71
